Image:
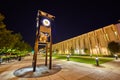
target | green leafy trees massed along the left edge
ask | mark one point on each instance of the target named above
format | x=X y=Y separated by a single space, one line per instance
x=11 y=42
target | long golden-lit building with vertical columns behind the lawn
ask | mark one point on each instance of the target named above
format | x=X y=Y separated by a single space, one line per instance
x=94 y=42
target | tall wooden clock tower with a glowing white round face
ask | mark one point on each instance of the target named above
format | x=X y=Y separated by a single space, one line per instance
x=43 y=37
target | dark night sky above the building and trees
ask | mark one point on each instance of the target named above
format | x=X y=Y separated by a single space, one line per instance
x=73 y=17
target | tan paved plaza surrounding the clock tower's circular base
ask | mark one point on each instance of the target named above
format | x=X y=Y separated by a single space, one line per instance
x=70 y=71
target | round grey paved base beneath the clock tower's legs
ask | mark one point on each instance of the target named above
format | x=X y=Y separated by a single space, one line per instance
x=41 y=70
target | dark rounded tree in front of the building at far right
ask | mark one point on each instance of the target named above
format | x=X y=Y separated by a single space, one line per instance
x=114 y=47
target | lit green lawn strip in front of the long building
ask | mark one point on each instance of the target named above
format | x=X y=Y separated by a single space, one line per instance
x=84 y=59
